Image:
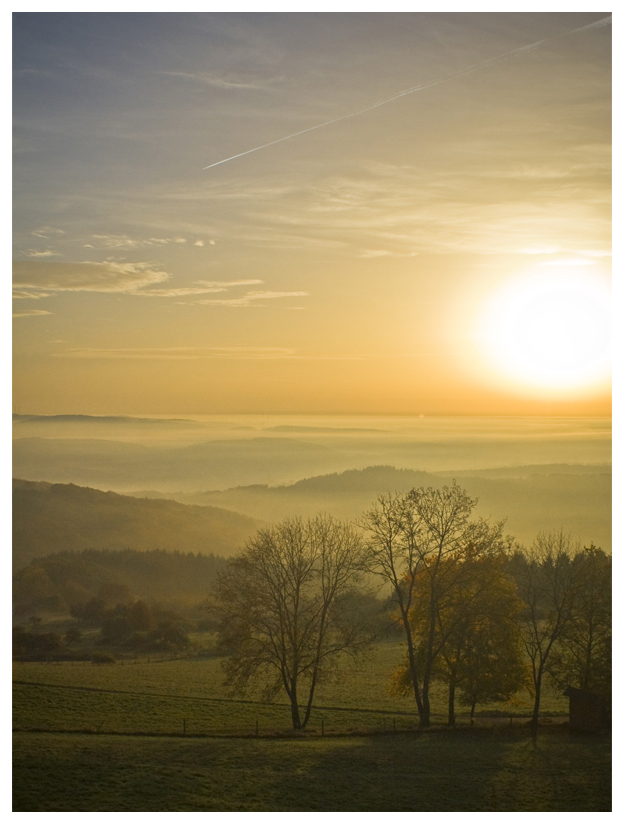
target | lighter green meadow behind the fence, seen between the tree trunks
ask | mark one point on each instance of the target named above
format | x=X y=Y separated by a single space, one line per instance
x=157 y=696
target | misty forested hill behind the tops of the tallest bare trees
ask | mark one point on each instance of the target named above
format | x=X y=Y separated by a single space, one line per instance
x=576 y=498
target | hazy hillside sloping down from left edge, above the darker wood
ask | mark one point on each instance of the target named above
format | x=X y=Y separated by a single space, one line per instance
x=53 y=518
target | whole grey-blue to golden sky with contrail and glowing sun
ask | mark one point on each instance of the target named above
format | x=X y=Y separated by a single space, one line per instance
x=425 y=230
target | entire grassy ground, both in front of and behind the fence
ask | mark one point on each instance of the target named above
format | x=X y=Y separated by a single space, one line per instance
x=61 y=765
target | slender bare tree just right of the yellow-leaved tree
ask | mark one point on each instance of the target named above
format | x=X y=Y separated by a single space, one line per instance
x=549 y=585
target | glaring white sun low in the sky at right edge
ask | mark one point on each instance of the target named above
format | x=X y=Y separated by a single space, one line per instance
x=549 y=331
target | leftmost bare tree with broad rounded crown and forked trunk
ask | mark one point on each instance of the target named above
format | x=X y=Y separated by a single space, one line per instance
x=286 y=608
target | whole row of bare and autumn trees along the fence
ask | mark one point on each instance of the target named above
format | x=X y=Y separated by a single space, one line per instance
x=477 y=611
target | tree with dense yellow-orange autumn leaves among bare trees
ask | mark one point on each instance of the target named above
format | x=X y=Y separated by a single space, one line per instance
x=476 y=644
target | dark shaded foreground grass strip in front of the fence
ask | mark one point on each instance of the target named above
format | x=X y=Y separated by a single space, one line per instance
x=477 y=770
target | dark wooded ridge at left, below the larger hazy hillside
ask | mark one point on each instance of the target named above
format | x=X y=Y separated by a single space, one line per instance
x=64 y=580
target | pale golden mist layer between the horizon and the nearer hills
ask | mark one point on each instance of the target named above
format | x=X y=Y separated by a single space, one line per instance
x=216 y=452
